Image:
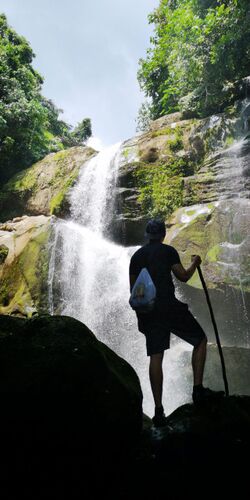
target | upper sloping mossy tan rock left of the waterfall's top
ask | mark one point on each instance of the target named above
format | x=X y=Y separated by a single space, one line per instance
x=43 y=187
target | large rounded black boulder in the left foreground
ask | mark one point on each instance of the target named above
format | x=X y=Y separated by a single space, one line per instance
x=69 y=405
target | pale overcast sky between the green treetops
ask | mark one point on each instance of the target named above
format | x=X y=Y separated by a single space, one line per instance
x=88 y=52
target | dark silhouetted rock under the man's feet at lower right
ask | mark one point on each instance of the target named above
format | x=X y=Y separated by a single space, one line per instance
x=203 y=452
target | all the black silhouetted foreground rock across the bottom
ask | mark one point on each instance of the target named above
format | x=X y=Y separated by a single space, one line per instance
x=71 y=424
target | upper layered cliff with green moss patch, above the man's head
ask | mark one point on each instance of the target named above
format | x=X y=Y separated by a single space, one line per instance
x=179 y=163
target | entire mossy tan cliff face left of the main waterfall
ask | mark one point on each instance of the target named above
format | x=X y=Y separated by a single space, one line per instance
x=27 y=202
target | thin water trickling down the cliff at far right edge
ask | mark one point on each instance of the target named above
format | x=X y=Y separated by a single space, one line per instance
x=232 y=170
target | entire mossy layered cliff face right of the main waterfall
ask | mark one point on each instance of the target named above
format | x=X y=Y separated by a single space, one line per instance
x=195 y=174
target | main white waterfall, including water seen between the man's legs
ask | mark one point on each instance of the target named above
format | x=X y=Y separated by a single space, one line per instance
x=88 y=278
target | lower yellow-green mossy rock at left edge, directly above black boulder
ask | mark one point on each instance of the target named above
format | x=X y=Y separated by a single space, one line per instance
x=24 y=277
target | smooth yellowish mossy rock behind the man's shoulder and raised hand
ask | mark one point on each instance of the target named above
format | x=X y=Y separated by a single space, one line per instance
x=203 y=230
